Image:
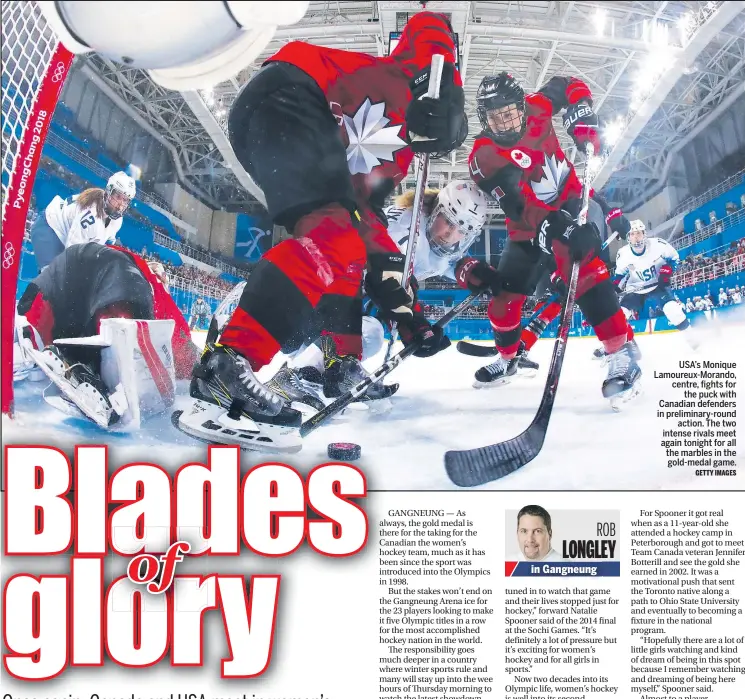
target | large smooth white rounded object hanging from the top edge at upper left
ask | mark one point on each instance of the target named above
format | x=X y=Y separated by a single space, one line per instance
x=183 y=45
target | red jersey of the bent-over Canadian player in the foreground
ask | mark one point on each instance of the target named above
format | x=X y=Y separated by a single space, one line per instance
x=368 y=97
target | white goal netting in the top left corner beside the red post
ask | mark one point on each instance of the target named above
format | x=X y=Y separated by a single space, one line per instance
x=27 y=48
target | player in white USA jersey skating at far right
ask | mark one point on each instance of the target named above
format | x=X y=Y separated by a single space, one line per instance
x=644 y=269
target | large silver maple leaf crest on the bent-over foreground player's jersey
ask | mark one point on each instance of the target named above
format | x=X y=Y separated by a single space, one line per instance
x=370 y=140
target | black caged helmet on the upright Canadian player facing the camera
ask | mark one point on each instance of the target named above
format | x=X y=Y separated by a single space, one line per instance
x=500 y=104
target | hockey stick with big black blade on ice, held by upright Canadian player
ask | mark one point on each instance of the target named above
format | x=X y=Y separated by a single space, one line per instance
x=472 y=467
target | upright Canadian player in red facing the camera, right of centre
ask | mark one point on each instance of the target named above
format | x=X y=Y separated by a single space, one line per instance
x=517 y=159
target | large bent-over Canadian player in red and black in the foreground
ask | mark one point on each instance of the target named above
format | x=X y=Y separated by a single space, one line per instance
x=327 y=134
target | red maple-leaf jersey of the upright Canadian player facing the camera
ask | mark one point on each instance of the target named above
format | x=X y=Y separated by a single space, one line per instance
x=533 y=177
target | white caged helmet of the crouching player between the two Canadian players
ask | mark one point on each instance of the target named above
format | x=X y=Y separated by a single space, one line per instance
x=463 y=207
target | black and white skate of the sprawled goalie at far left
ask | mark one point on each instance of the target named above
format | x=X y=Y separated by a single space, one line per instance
x=80 y=385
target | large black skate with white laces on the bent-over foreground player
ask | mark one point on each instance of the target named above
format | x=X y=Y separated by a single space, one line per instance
x=233 y=407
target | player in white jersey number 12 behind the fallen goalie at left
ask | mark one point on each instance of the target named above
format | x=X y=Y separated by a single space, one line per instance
x=93 y=216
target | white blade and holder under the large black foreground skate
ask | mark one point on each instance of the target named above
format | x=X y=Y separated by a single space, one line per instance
x=209 y=423
